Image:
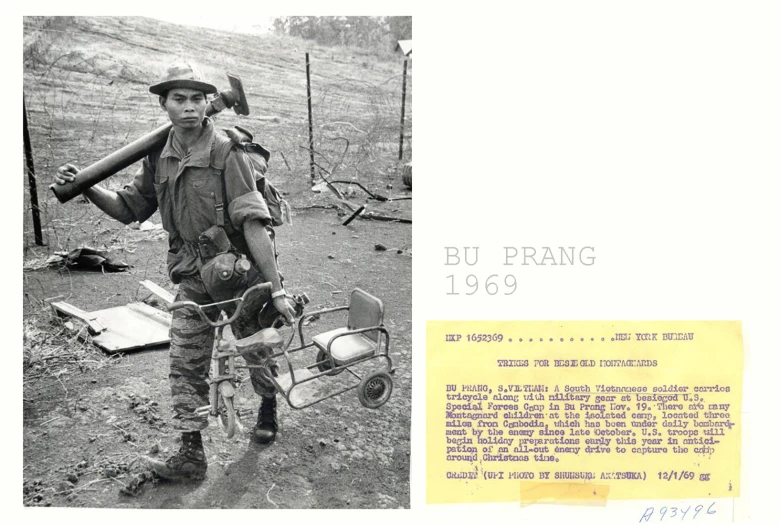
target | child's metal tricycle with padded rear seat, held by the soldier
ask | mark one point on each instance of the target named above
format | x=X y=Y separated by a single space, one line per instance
x=363 y=339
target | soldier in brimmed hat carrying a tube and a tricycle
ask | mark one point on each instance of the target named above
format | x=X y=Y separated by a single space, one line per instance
x=181 y=181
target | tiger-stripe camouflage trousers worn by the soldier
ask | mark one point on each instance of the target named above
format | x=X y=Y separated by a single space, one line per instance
x=192 y=341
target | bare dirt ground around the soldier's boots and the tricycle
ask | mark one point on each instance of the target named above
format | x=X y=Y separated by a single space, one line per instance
x=85 y=424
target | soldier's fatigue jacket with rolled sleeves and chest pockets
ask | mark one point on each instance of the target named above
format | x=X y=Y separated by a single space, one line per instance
x=182 y=185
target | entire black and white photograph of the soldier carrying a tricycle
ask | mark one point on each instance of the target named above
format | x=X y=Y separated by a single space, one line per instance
x=217 y=262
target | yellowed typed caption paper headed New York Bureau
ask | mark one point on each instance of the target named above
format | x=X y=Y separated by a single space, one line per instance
x=583 y=411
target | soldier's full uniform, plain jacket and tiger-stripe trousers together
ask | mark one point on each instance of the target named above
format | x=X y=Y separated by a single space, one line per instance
x=182 y=186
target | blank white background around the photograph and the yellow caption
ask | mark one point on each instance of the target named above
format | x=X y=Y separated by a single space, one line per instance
x=648 y=130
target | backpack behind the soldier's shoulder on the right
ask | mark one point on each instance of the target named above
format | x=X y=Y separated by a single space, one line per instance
x=258 y=158
